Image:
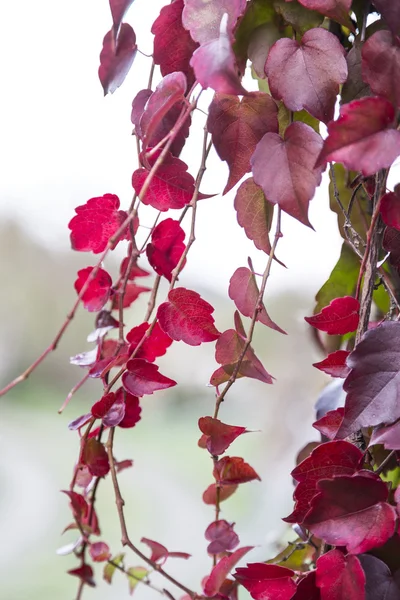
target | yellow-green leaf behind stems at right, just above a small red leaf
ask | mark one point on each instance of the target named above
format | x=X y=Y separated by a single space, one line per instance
x=342 y=281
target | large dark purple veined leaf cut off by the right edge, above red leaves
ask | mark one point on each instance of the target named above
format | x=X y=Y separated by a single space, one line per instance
x=374 y=381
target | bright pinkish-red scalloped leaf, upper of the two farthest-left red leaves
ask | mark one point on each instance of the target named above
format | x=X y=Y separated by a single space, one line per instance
x=95 y=223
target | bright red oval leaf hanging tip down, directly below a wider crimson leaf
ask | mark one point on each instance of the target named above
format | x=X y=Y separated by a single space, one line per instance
x=166 y=247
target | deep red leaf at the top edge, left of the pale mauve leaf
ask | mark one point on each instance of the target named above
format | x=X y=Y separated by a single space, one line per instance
x=173 y=44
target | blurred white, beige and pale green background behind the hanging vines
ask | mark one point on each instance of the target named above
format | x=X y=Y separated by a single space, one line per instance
x=62 y=143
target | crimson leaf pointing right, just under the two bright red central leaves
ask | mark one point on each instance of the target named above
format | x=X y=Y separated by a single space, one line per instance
x=143 y=378
